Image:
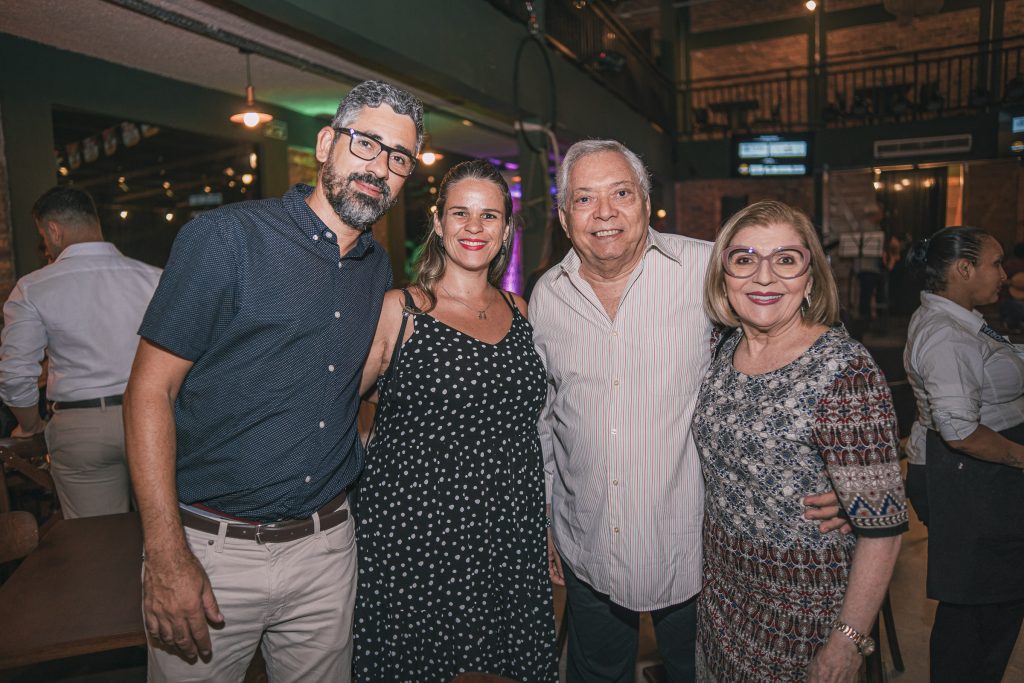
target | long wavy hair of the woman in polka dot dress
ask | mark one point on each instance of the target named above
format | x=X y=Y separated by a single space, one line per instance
x=433 y=261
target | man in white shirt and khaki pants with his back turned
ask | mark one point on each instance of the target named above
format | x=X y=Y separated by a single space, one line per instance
x=81 y=313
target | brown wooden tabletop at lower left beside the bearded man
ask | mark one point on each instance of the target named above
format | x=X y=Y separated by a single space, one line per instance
x=79 y=592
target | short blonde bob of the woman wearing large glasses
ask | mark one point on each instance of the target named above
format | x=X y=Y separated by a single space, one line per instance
x=824 y=297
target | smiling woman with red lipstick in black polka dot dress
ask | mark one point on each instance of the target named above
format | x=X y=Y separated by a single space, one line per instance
x=453 y=556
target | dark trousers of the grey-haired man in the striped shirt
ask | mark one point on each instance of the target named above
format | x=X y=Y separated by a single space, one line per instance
x=604 y=636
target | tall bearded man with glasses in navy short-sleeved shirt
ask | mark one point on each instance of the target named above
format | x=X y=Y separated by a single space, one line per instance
x=241 y=411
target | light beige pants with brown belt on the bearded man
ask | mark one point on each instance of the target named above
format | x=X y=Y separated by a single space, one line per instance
x=297 y=597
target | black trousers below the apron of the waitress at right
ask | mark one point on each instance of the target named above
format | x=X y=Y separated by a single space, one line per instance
x=974 y=643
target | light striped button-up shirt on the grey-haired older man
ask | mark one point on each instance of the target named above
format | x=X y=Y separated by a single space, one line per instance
x=624 y=477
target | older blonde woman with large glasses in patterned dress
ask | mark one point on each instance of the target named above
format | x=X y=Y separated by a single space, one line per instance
x=791 y=404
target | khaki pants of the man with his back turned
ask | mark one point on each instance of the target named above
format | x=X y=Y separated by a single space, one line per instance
x=88 y=461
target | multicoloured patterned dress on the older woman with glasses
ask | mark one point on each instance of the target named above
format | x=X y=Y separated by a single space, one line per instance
x=774 y=584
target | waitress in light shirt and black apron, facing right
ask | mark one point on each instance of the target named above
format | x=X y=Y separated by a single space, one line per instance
x=968 y=443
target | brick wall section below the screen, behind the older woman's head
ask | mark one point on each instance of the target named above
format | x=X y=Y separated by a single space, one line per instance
x=699 y=203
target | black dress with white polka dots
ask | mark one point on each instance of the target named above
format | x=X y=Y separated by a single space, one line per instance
x=452 y=541
